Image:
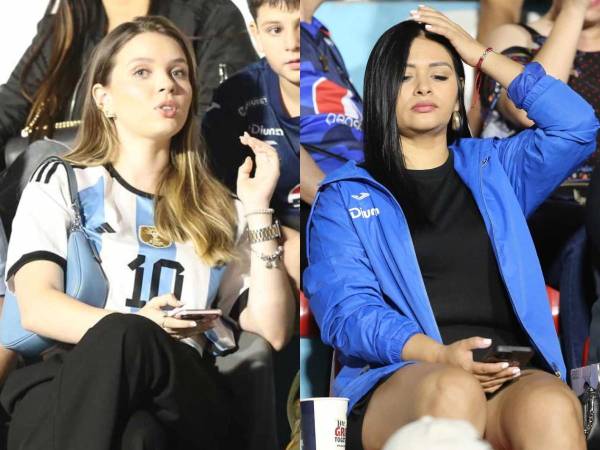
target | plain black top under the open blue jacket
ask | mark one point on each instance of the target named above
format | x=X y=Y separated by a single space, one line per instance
x=457 y=261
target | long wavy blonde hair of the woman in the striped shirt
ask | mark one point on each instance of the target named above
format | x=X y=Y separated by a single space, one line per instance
x=190 y=203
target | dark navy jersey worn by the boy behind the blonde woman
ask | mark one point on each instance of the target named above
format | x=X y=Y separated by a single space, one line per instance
x=251 y=101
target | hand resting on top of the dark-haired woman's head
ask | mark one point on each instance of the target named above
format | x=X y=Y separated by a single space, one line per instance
x=469 y=49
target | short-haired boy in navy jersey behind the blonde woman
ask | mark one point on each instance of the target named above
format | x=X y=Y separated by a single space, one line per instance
x=263 y=100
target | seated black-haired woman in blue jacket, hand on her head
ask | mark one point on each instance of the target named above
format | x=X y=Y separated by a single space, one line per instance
x=422 y=258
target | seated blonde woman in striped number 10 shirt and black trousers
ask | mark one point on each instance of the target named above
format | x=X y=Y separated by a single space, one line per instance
x=168 y=235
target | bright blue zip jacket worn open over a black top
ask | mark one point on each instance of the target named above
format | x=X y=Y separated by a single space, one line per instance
x=363 y=280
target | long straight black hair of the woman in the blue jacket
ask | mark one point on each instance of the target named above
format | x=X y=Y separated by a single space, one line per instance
x=383 y=76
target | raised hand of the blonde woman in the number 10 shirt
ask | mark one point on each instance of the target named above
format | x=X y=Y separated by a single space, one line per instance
x=256 y=192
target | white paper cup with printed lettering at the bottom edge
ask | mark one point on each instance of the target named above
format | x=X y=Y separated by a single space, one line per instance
x=323 y=423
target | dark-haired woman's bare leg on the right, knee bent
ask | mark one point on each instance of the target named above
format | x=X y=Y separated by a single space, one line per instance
x=536 y=412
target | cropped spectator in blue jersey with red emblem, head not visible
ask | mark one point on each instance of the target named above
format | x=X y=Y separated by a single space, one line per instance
x=331 y=111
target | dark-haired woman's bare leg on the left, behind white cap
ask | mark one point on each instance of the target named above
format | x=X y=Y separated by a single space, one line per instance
x=422 y=389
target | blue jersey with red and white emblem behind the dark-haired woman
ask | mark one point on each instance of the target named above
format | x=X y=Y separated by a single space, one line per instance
x=331 y=108
